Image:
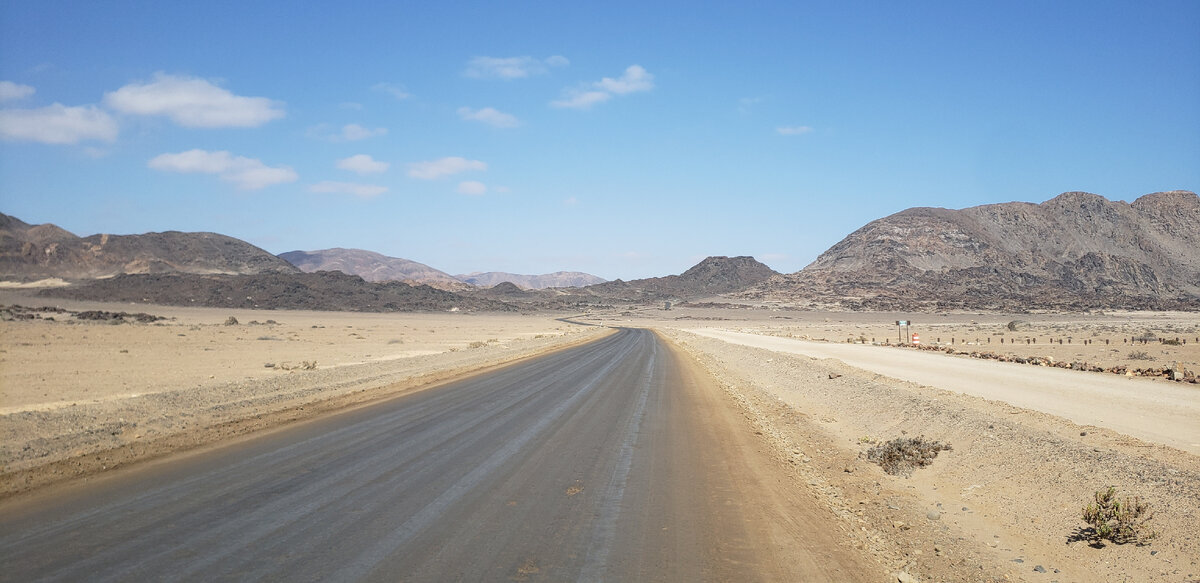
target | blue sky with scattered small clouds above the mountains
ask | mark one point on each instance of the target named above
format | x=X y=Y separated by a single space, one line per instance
x=626 y=140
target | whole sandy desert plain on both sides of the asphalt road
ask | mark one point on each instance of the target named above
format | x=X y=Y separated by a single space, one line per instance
x=82 y=396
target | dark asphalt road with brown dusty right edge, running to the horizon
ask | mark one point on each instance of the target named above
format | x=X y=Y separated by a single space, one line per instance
x=613 y=461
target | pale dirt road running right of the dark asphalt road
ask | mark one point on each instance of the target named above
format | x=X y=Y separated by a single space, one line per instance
x=1157 y=412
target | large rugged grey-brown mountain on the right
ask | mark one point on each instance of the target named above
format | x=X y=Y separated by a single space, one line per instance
x=1077 y=251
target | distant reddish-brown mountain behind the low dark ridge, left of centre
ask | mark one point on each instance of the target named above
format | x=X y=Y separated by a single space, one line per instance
x=373 y=267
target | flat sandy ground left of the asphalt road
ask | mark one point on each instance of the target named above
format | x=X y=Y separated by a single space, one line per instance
x=82 y=396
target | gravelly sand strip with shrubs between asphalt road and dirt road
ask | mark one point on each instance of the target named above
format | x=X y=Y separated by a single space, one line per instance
x=1004 y=503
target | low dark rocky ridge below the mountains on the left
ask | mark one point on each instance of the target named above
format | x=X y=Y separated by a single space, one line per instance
x=322 y=291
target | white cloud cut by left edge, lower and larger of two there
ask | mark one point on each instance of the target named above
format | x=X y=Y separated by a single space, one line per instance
x=58 y=124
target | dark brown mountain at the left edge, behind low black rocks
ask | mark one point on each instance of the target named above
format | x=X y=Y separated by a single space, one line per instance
x=33 y=253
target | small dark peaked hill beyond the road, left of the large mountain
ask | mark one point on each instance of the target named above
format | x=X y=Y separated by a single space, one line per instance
x=710 y=278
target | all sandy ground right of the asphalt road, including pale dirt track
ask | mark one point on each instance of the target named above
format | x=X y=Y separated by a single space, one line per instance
x=1005 y=504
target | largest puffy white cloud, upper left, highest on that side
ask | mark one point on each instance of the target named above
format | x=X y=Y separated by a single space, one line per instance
x=193 y=103
